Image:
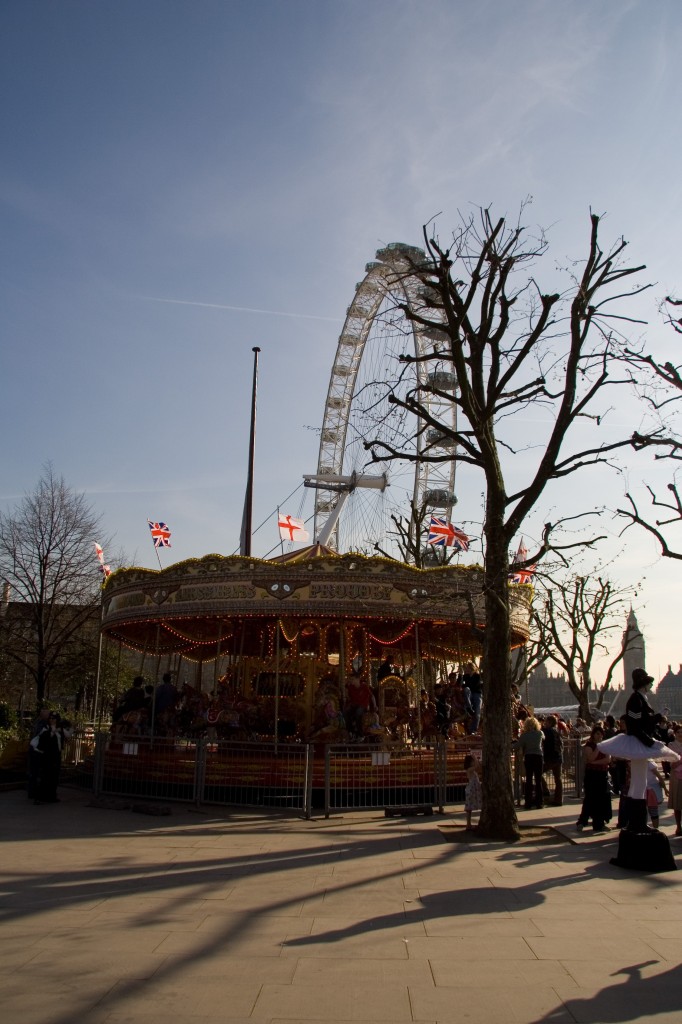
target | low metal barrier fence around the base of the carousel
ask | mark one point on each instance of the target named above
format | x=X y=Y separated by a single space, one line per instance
x=295 y=777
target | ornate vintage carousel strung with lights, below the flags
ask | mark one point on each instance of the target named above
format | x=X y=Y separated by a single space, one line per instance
x=271 y=649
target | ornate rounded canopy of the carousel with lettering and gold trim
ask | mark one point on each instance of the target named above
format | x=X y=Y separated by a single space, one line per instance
x=219 y=606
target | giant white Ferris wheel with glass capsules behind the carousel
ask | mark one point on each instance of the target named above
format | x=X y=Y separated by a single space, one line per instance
x=357 y=496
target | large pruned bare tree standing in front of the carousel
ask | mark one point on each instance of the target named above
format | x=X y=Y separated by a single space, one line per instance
x=513 y=348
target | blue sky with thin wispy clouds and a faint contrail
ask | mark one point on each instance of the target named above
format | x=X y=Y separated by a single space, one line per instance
x=169 y=167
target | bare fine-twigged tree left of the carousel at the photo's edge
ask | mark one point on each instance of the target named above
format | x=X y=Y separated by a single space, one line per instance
x=48 y=559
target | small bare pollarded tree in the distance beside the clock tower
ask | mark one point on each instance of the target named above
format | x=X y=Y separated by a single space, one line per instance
x=577 y=619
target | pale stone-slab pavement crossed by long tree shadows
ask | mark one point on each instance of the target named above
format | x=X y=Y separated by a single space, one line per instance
x=238 y=916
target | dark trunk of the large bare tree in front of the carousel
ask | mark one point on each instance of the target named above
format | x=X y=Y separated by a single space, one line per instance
x=498 y=820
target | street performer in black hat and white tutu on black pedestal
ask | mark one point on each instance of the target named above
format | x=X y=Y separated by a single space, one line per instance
x=638 y=746
